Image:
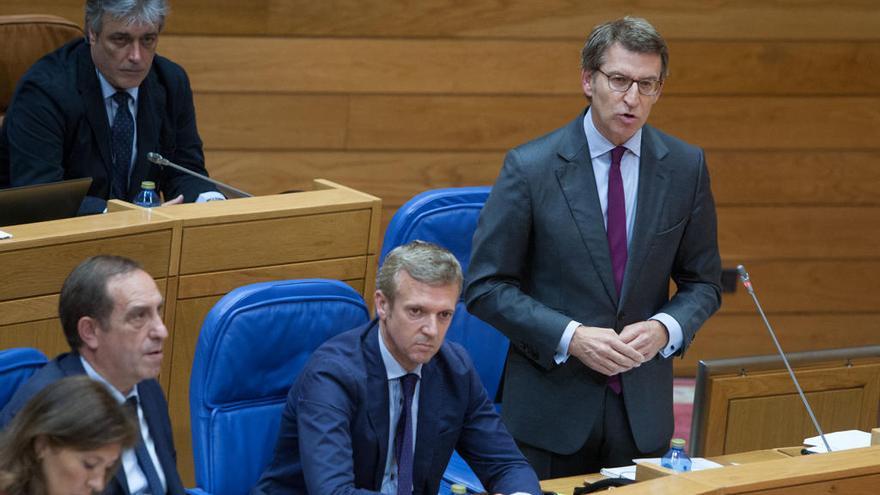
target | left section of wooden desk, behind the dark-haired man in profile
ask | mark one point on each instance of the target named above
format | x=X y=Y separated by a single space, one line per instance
x=35 y=262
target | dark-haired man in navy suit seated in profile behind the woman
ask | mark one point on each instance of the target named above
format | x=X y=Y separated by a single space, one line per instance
x=111 y=311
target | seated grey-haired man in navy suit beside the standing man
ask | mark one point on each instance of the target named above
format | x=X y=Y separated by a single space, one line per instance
x=381 y=407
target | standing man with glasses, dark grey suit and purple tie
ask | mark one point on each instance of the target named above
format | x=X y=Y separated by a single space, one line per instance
x=572 y=260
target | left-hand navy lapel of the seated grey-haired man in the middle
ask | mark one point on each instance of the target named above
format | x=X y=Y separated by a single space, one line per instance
x=377 y=407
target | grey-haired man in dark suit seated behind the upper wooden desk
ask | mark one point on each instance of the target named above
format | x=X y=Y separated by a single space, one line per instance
x=96 y=106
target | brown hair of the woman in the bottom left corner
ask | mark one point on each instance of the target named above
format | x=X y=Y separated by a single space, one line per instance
x=74 y=413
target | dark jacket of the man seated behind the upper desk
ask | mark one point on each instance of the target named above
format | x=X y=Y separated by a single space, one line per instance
x=57 y=128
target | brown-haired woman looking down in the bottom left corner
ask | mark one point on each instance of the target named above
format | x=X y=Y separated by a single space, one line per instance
x=66 y=440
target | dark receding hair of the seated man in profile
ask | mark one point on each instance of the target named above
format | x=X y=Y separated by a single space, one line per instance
x=84 y=293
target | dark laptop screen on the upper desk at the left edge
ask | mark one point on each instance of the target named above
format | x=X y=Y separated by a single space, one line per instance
x=41 y=202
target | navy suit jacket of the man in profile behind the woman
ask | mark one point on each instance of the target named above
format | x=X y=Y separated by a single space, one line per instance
x=152 y=402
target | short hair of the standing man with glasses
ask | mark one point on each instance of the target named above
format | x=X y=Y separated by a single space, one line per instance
x=633 y=33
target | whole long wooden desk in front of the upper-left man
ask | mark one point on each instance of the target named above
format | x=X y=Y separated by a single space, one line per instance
x=197 y=253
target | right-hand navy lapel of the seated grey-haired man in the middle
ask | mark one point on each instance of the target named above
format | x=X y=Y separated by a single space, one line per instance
x=430 y=395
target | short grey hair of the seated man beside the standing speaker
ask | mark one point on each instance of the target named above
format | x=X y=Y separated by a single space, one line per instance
x=425 y=262
